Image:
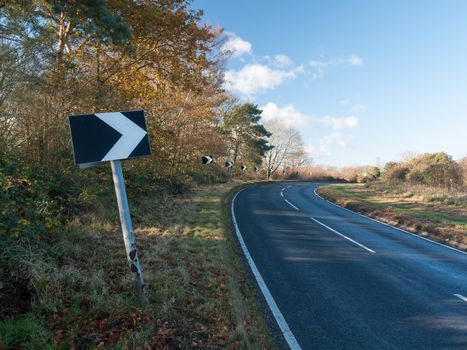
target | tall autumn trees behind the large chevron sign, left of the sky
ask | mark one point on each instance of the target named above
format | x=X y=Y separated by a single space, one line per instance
x=61 y=58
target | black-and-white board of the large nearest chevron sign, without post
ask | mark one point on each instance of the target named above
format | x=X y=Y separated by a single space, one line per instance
x=102 y=137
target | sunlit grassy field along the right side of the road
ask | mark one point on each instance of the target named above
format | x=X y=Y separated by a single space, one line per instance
x=437 y=213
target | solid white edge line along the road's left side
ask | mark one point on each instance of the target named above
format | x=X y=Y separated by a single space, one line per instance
x=282 y=323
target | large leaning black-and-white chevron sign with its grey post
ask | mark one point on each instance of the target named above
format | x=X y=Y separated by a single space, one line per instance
x=114 y=137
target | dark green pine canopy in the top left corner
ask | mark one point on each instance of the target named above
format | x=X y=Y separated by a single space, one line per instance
x=65 y=25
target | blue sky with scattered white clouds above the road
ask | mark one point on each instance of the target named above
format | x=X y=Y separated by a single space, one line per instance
x=364 y=81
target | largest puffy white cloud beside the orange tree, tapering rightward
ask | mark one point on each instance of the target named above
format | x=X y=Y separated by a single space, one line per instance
x=254 y=78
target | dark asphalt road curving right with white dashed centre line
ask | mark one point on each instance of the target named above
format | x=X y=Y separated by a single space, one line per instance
x=342 y=281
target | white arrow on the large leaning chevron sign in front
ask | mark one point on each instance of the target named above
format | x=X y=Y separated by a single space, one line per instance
x=132 y=134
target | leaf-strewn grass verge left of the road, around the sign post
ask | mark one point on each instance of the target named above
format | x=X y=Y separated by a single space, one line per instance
x=73 y=290
